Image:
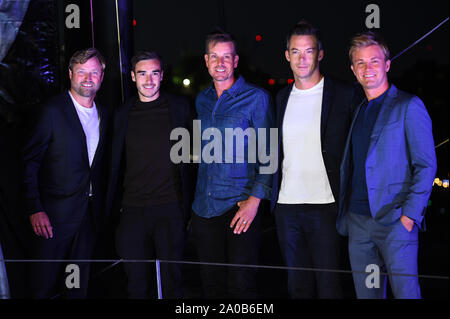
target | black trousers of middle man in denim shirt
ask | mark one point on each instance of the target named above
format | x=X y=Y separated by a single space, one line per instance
x=216 y=243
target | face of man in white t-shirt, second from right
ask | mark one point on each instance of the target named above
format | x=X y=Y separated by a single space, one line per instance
x=304 y=57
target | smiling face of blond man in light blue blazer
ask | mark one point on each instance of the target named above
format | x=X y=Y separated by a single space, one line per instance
x=370 y=68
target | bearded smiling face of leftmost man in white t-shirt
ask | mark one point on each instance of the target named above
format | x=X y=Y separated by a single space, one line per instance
x=86 y=78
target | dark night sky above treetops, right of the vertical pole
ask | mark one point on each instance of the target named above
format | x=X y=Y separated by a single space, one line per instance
x=177 y=29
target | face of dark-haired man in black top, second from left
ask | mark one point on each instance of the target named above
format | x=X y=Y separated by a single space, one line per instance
x=148 y=76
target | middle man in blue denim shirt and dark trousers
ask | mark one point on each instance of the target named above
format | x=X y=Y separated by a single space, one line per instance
x=230 y=184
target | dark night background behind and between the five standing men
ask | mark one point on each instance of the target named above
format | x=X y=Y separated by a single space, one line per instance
x=36 y=68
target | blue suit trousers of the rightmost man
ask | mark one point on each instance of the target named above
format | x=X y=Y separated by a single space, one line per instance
x=390 y=247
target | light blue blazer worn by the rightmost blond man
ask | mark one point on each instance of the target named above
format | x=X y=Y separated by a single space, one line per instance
x=400 y=163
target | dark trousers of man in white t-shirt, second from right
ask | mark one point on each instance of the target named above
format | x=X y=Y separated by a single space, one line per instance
x=308 y=239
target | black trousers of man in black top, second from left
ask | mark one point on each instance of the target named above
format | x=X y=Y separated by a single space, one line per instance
x=153 y=232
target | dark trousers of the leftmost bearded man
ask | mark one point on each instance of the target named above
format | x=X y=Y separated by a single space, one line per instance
x=71 y=241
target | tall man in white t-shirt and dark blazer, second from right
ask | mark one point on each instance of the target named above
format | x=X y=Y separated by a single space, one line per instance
x=313 y=117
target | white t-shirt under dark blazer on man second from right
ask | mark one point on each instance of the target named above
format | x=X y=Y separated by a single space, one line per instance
x=304 y=178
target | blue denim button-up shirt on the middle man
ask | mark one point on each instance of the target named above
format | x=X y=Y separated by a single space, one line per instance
x=221 y=185
